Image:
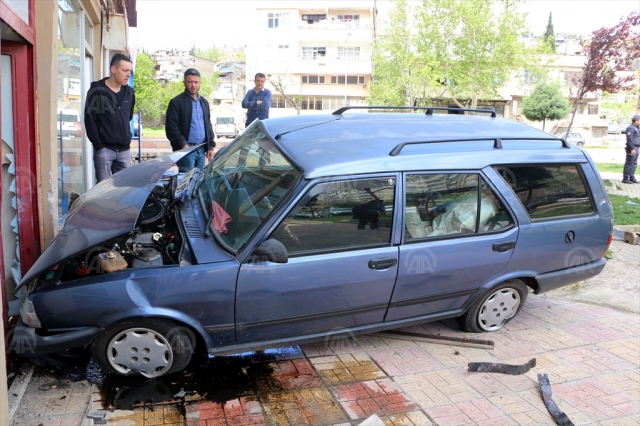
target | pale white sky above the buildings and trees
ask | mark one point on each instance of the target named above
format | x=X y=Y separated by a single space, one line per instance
x=166 y=24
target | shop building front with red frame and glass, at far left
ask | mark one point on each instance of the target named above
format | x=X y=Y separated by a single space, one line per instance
x=45 y=155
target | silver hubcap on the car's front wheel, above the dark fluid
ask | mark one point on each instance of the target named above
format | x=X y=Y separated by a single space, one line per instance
x=140 y=350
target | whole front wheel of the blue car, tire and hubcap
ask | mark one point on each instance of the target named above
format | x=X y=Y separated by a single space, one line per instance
x=147 y=346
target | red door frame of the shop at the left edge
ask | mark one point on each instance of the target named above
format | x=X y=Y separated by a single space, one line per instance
x=22 y=69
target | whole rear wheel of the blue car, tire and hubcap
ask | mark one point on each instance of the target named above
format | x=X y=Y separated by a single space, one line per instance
x=494 y=309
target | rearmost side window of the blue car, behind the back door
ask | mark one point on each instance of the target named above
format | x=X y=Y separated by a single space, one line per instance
x=548 y=191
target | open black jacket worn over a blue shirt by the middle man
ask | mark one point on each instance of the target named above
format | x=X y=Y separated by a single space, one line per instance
x=178 y=121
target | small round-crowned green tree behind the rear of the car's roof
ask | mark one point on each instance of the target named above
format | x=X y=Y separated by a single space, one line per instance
x=546 y=102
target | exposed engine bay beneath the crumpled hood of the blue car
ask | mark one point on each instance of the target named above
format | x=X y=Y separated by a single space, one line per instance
x=156 y=240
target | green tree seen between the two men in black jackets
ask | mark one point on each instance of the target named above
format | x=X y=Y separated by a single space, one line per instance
x=147 y=88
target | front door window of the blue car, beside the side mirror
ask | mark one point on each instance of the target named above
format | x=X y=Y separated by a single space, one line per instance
x=340 y=215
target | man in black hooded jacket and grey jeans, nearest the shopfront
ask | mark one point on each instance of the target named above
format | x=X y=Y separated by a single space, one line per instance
x=107 y=113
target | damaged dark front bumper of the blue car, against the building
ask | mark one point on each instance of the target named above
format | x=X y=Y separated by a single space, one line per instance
x=26 y=342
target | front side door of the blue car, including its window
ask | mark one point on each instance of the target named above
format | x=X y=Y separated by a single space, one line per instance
x=341 y=269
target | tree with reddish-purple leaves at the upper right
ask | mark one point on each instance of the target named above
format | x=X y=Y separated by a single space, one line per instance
x=610 y=51
